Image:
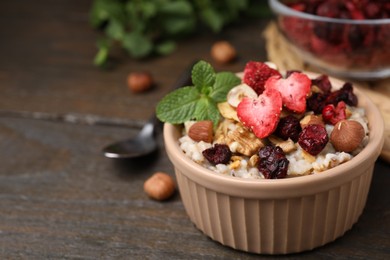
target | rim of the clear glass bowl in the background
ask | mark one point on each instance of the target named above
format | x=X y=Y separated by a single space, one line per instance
x=280 y=8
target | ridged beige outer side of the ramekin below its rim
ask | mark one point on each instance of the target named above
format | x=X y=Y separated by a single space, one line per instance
x=275 y=226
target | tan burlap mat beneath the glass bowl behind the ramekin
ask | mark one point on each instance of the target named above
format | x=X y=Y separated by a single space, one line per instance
x=280 y=53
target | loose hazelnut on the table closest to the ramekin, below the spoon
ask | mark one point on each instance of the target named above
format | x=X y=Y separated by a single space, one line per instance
x=160 y=186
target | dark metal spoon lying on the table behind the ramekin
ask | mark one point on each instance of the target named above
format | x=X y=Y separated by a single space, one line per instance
x=145 y=142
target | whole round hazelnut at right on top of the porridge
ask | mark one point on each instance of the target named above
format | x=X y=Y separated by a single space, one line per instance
x=347 y=135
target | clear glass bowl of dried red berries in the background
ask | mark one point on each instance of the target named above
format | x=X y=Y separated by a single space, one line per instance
x=342 y=38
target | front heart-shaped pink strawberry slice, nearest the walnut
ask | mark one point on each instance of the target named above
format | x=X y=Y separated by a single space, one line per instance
x=261 y=114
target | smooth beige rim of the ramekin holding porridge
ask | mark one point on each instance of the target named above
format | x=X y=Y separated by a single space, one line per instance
x=288 y=187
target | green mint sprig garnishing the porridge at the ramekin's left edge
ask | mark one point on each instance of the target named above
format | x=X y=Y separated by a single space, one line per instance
x=198 y=102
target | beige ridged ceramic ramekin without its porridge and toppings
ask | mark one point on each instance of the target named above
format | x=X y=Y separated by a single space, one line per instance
x=277 y=216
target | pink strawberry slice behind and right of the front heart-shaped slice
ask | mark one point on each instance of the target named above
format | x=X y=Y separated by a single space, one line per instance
x=293 y=89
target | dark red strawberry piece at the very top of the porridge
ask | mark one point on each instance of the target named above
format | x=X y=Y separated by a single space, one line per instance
x=256 y=74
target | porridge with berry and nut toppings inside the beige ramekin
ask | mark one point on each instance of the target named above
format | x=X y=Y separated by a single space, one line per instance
x=276 y=125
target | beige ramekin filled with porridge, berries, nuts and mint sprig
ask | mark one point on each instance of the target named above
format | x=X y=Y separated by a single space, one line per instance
x=270 y=216
